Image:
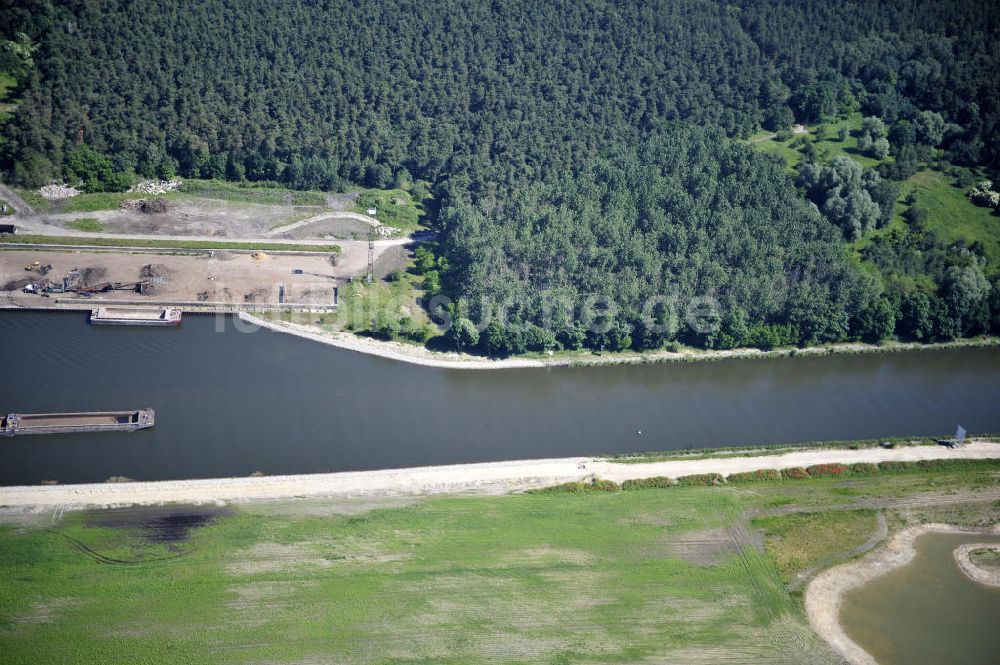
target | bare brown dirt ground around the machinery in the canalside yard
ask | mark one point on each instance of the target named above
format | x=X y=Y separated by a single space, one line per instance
x=226 y=277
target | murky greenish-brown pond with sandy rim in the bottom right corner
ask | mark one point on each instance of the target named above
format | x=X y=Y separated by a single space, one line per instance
x=927 y=612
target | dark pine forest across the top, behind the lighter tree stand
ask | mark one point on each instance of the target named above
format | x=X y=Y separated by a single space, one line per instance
x=483 y=96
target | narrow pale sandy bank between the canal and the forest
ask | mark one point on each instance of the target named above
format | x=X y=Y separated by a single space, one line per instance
x=419 y=355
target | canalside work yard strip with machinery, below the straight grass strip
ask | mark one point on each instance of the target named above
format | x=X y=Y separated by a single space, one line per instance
x=209 y=280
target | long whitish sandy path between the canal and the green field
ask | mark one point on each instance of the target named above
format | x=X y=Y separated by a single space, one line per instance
x=493 y=477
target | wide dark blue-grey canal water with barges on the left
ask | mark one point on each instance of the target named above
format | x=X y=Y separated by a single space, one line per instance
x=230 y=403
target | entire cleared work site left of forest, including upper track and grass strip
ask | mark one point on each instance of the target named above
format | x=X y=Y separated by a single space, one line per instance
x=192 y=252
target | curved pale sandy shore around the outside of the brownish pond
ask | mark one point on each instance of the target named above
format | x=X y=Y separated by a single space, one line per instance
x=825 y=593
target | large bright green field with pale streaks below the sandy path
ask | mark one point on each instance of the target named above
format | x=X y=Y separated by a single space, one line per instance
x=662 y=575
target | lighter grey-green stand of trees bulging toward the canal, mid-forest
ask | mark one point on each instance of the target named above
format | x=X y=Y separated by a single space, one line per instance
x=656 y=229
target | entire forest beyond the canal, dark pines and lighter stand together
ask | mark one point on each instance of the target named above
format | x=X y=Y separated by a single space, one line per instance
x=518 y=115
